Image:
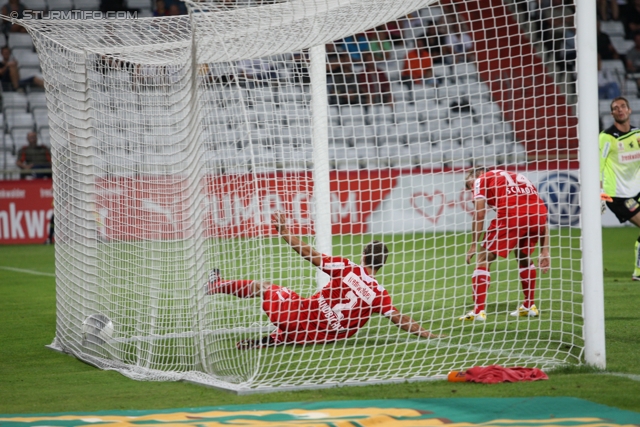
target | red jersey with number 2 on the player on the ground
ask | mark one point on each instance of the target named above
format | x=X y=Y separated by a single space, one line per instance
x=345 y=304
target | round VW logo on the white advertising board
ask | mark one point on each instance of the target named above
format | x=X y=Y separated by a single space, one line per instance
x=561 y=193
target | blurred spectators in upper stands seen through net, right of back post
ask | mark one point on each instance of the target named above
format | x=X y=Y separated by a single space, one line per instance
x=358 y=67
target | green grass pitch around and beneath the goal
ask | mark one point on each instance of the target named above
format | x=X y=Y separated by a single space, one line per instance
x=35 y=379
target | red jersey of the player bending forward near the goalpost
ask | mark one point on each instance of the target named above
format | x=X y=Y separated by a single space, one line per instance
x=511 y=194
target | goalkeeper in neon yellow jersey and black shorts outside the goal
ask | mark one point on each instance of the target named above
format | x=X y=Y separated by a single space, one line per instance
x=620 y=170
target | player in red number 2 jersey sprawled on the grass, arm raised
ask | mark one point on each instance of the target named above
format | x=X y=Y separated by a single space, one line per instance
x=335 y=312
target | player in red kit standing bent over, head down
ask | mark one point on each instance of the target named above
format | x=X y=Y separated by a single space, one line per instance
x=520 y=223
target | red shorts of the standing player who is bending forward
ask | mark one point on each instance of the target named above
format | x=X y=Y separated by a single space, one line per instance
x=504 y=235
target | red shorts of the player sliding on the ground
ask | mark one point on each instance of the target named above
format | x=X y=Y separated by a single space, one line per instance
x=290 y=313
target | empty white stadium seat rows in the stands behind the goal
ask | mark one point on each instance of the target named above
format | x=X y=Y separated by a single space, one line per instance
x=421 y=130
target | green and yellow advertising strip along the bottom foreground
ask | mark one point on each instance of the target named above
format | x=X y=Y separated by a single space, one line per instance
x=532 y=412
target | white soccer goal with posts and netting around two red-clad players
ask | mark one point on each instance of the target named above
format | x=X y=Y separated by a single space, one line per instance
x=174 y=139
